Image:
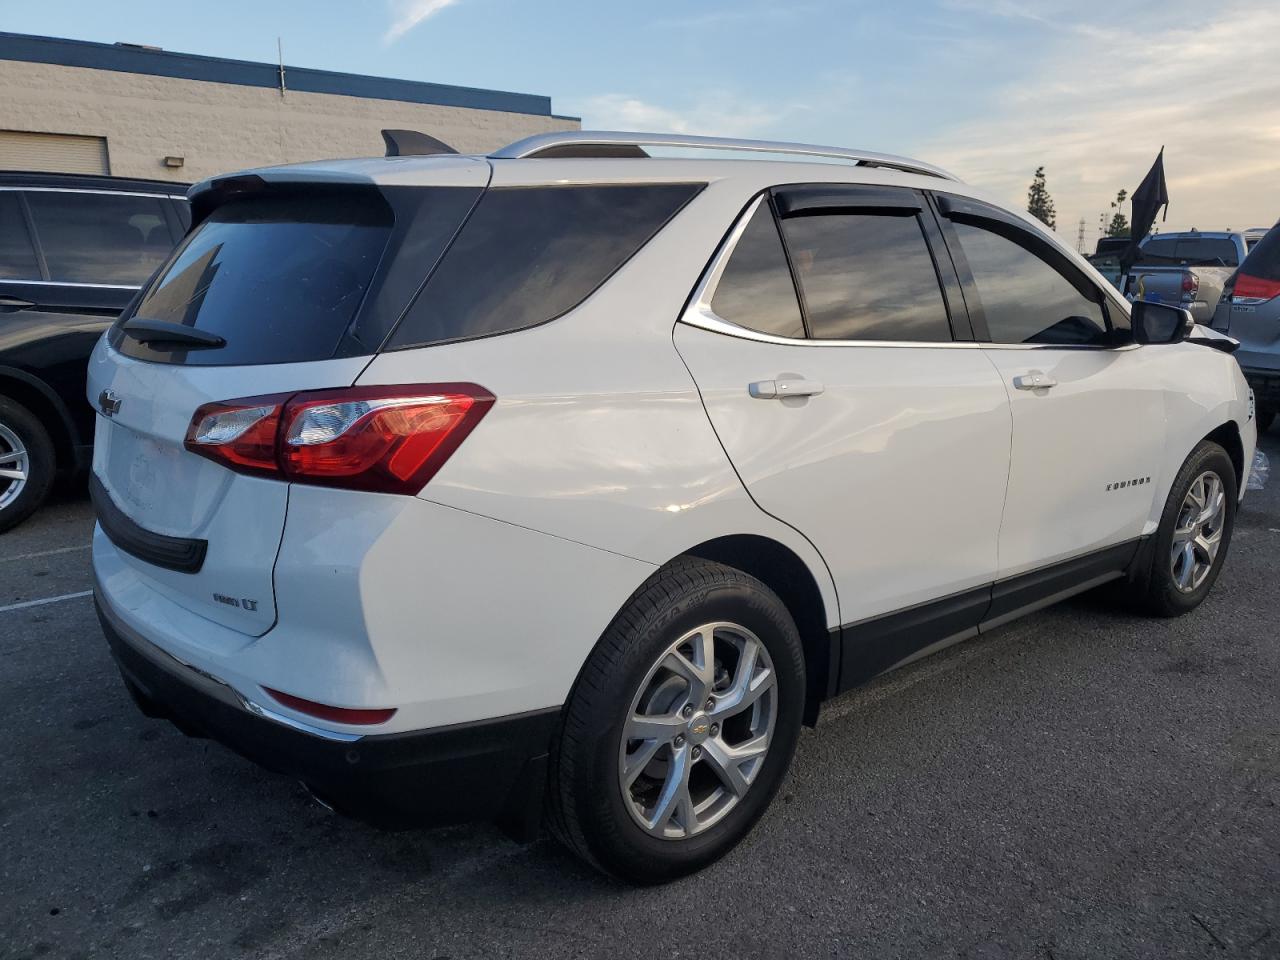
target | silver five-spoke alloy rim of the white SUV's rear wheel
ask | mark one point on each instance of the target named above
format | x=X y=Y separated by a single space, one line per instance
x=698 y=732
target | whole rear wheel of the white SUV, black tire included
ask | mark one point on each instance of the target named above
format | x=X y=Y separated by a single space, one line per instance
x=589 y=810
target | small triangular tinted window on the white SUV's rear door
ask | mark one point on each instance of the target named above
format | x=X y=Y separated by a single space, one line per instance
x=756 y=290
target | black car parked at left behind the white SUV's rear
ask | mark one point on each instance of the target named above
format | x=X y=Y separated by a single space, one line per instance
x=74 y=253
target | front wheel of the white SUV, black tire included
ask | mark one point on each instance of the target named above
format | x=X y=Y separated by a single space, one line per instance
x=1165 y=588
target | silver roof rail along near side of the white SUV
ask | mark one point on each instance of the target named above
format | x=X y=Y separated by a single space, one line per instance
x=600 y=144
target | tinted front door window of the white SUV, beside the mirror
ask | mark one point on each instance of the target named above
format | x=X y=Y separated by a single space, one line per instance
x=1023 y=299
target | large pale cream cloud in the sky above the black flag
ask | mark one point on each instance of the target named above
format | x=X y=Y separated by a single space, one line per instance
x=1095 y=107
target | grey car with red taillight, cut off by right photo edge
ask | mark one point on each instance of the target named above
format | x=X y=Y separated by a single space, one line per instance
x=1250 y=312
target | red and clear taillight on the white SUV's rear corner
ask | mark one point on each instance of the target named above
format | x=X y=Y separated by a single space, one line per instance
x=390 y=440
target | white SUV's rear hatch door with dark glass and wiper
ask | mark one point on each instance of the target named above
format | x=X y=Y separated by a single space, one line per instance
x=301 y=281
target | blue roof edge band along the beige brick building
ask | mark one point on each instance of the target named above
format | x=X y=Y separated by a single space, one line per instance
x=122 y=58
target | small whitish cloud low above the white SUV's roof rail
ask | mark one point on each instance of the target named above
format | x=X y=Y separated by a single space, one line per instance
x=717 y=115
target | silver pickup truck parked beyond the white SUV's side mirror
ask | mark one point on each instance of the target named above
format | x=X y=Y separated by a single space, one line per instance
x=1187 y=269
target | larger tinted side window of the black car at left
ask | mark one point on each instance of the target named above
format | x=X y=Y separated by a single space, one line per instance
x=100 y=237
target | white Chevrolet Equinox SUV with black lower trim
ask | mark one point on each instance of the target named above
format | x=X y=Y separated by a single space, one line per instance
x=452 y=486
